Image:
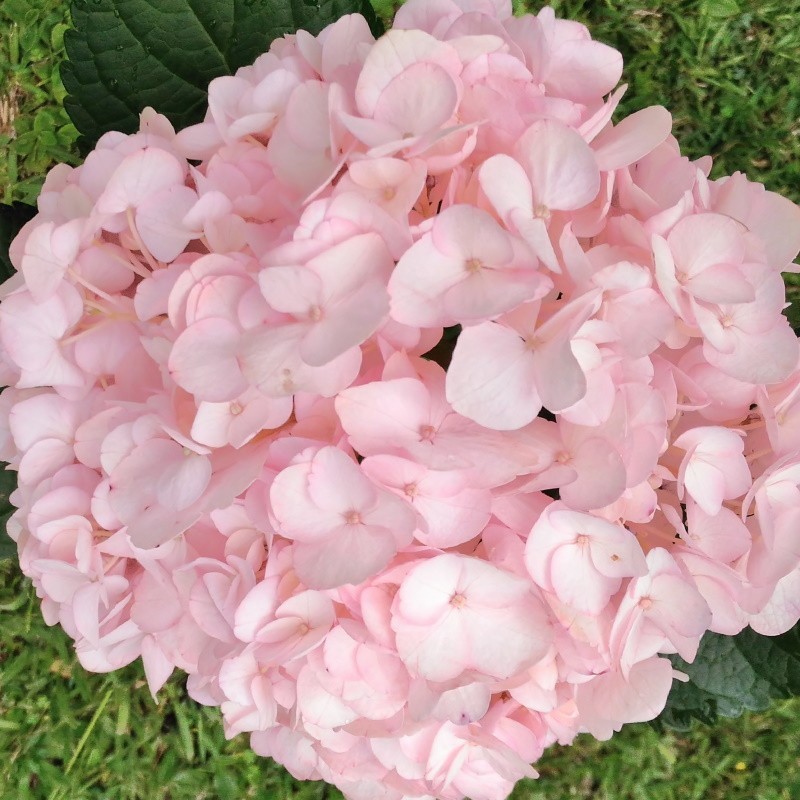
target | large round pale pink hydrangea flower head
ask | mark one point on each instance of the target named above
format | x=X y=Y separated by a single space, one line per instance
x=243 y=449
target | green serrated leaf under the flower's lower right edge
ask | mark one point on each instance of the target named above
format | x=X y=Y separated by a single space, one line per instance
x=733 y=674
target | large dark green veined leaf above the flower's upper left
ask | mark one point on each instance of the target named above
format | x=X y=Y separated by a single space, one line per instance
x=125 y=55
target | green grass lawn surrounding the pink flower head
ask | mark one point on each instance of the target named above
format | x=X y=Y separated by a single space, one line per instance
x=730 y=73
